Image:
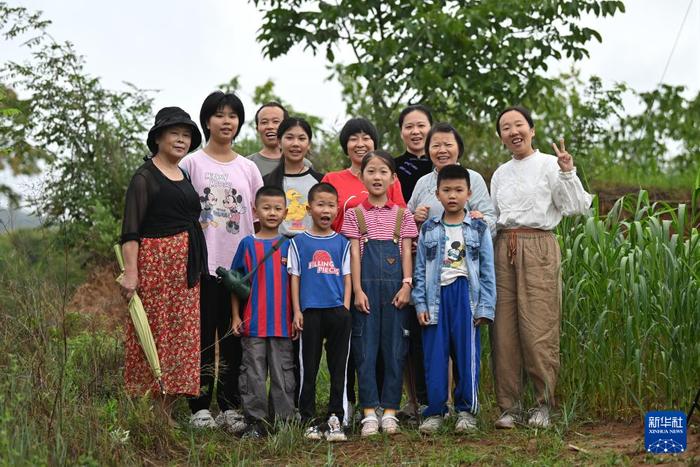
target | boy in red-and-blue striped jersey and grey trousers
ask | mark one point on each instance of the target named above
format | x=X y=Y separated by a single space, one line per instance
x=266 y=322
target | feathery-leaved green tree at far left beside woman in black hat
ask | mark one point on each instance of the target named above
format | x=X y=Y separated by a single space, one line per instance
x=90 y=138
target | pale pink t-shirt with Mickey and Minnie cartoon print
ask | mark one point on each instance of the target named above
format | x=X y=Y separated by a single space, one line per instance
x=227 y=194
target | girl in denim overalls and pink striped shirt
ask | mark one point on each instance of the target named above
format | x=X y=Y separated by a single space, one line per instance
x=380 y=234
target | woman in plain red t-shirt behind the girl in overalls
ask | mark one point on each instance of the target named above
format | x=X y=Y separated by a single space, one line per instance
x=357 y=138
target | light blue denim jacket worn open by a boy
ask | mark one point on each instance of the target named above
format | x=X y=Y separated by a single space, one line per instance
x=482 y=276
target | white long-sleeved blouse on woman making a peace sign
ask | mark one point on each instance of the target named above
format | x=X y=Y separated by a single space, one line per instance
x=533 y=192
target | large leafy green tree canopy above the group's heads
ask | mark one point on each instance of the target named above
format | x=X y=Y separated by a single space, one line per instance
x=465 y=59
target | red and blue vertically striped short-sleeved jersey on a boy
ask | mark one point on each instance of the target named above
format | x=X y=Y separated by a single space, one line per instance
x=267 y=312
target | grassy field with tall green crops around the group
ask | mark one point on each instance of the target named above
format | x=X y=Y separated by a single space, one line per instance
x=629 y=344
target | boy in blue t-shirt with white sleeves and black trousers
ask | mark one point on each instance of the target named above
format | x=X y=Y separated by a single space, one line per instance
x=319 y=265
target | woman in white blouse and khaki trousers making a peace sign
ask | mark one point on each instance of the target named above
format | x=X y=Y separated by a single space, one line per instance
x=531 y=192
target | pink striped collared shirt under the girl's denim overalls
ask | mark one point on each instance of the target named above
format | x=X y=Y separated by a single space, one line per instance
x=381 y=223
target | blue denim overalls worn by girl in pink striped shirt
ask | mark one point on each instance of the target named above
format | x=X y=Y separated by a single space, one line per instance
x=383 y=332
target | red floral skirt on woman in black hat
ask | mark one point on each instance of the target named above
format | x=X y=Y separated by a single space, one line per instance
x=173 y=315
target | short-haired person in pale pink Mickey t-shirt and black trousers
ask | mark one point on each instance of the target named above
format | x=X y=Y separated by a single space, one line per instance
x=226 y=183
